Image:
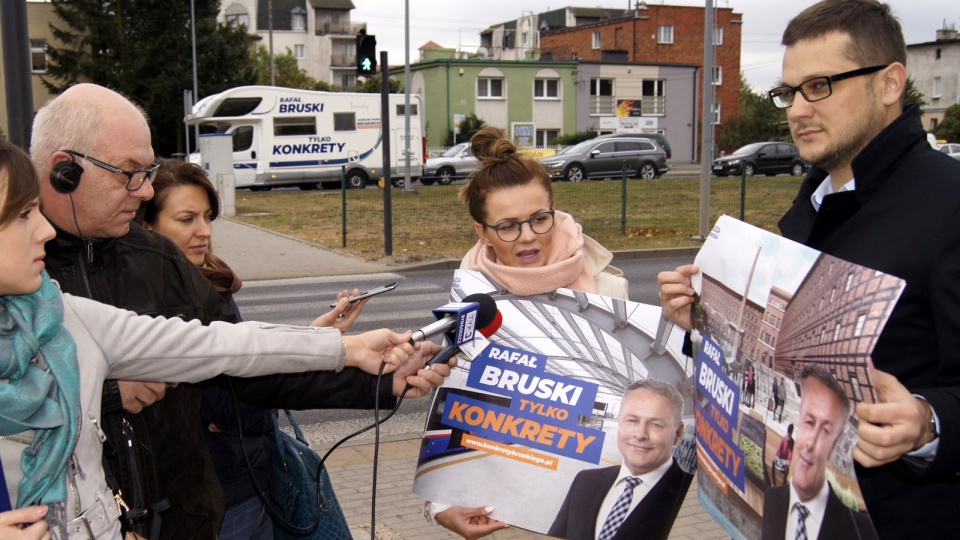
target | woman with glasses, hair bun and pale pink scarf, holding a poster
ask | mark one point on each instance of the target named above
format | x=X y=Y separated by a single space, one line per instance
x=527 y=247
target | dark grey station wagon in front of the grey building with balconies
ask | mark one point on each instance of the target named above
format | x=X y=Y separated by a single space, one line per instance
x=604 y=158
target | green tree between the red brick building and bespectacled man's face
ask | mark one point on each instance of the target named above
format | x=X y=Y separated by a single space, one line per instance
x=759 y=120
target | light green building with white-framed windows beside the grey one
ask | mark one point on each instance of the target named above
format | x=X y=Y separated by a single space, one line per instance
x=532 y=101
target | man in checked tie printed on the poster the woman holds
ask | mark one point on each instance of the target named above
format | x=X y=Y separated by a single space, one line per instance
x=641 y=497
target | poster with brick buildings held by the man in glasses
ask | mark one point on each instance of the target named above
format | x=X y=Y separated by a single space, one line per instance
x=783 y=335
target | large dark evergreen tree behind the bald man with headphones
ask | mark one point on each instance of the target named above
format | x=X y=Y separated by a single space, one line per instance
x=142 y=48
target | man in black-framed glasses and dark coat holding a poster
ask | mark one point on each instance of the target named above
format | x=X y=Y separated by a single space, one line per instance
x=879 y=196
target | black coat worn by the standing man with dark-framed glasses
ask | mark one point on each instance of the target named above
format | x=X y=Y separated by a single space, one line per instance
x=903 y=218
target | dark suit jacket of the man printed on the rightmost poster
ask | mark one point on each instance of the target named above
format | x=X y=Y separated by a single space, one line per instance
x=839 y=521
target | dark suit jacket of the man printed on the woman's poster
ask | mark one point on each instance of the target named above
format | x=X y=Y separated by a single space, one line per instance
x=651 y=519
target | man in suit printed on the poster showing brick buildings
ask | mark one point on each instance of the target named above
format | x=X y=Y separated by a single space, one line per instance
x=807 y=507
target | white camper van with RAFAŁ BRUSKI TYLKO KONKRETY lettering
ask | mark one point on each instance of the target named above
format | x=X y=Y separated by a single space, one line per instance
x=286 y=137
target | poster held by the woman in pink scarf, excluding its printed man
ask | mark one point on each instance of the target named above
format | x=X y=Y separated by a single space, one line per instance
x=512 y=427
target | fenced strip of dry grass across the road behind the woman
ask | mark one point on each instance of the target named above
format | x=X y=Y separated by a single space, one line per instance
x=433 y=223
